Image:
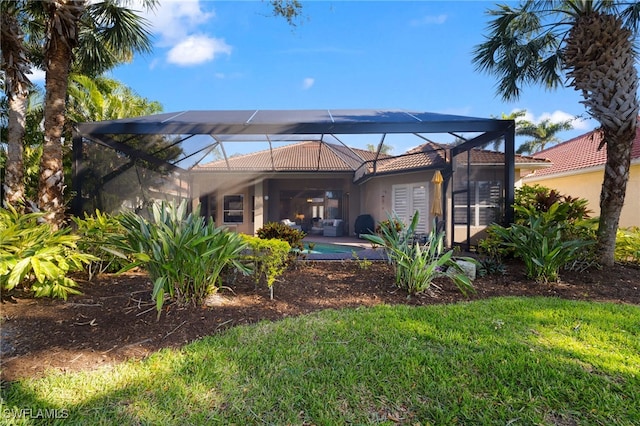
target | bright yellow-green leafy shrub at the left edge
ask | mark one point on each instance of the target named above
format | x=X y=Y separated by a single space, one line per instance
x=36 y=256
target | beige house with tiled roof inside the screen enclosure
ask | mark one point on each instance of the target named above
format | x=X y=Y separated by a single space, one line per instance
x=308 y=181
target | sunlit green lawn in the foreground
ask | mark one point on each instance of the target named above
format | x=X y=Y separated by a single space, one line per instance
x=518 y=361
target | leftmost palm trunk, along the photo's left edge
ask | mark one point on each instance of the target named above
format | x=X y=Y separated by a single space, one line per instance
x=16 y=67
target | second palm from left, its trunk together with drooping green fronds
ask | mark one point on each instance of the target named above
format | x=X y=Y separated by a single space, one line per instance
x=121 y=33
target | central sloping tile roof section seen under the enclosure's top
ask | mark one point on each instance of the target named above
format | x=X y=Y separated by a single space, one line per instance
x=303 y=156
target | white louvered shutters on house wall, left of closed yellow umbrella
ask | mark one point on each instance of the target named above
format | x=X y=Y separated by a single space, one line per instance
x=411 y=198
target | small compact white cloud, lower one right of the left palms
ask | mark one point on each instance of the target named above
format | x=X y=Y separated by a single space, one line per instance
x=196 y=50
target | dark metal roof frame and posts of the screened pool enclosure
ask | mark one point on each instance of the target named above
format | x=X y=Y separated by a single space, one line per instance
x=272 y=126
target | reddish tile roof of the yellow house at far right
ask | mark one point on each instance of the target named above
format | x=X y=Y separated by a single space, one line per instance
x=579 y=153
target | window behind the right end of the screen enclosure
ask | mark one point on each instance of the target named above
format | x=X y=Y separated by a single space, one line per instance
x=484 y=204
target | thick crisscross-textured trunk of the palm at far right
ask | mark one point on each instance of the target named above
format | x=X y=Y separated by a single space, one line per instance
x=601 y=59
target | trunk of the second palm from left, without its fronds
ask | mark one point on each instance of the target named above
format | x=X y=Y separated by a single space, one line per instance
x=62 y=33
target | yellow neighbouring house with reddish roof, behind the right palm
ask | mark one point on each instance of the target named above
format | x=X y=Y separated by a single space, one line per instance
x=578 y=171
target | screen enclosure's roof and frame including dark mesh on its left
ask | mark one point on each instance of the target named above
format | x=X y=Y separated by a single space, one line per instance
x=178 y=142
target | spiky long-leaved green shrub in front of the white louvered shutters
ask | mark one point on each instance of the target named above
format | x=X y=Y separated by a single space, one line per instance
x=417 y=265
